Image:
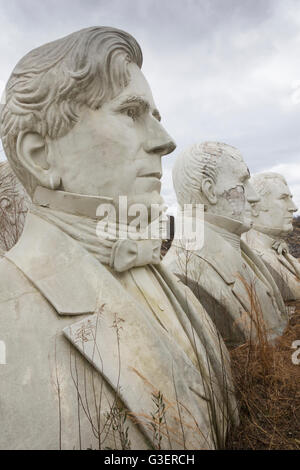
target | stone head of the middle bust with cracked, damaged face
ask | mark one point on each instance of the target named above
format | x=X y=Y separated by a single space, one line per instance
x=215 y=175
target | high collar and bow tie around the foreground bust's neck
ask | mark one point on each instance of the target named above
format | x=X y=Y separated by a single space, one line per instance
x=113 y=244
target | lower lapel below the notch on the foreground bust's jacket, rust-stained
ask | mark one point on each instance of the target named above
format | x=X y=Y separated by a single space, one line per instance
x=139 y=360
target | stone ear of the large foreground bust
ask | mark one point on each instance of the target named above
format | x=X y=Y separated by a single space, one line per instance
x=32 y=152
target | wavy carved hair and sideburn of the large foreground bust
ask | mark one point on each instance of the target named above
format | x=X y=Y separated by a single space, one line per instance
x=50 y=84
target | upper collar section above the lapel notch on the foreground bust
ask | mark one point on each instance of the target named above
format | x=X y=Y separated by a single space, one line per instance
x=66 y=275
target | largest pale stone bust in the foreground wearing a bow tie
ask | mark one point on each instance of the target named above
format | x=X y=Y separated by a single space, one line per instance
x=105 y=349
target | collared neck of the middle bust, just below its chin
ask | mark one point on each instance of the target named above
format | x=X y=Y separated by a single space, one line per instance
x=230 y=229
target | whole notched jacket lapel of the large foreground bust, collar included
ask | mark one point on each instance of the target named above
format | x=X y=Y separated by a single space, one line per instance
x=74 y=283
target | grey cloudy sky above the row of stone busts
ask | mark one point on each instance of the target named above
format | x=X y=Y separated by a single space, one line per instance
x=226 y=70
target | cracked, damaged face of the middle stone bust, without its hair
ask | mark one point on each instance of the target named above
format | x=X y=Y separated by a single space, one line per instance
x=232 y=189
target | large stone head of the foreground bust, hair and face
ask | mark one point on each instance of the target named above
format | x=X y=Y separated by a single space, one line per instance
x=80 y=117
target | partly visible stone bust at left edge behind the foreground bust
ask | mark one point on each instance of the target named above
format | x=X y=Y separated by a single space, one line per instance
x=13 y=208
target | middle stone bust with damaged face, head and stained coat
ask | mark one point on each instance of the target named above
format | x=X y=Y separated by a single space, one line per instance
x=233 y=284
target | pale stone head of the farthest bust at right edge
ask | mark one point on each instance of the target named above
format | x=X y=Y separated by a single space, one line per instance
x=276 y=207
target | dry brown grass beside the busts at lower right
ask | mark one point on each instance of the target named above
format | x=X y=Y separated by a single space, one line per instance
x=268 y=391
